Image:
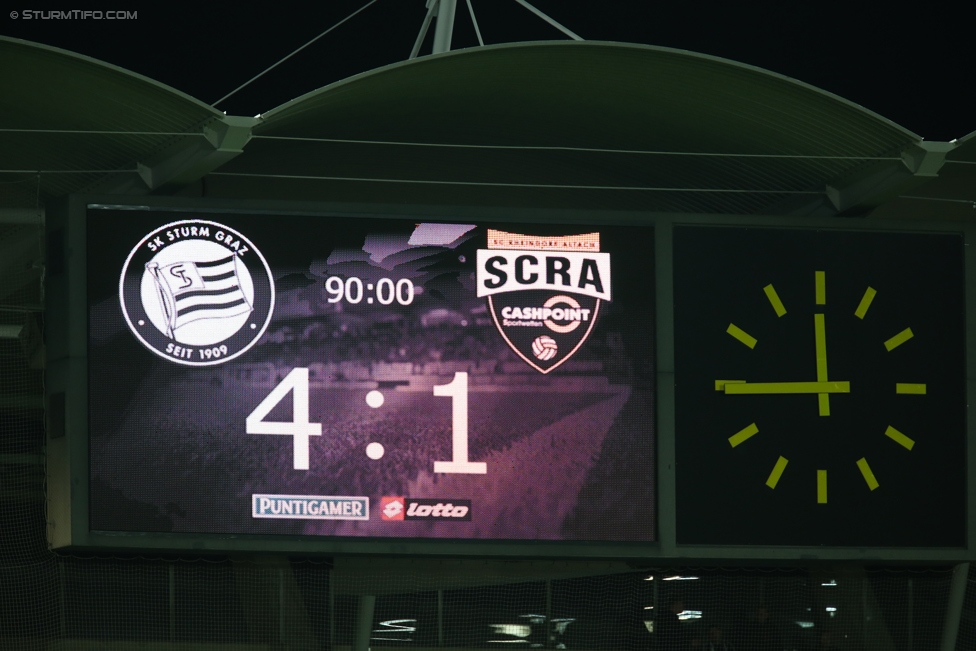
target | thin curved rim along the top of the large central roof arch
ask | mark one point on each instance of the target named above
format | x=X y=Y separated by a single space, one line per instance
x=270 y=115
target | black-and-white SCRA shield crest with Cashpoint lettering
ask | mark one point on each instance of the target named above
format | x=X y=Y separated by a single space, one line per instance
x=544 y=292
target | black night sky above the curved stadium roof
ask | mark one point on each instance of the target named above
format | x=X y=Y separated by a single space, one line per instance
x=912 y=65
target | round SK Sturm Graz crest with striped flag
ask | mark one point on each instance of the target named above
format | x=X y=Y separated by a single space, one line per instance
x=196 y=292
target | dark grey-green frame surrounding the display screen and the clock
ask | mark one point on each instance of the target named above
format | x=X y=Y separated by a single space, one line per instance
x=67 y=340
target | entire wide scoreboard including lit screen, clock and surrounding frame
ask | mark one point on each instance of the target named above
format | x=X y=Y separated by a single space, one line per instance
x=238 y=376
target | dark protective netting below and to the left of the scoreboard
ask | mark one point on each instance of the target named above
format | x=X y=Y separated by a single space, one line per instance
x=77 y=602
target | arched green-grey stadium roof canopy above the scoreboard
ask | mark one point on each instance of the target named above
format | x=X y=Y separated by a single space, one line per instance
x=554 y=124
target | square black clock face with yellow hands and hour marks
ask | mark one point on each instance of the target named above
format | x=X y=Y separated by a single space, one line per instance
x=820 y=387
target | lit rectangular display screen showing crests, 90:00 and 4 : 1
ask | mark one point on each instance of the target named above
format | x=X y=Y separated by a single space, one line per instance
x=326 y=376
